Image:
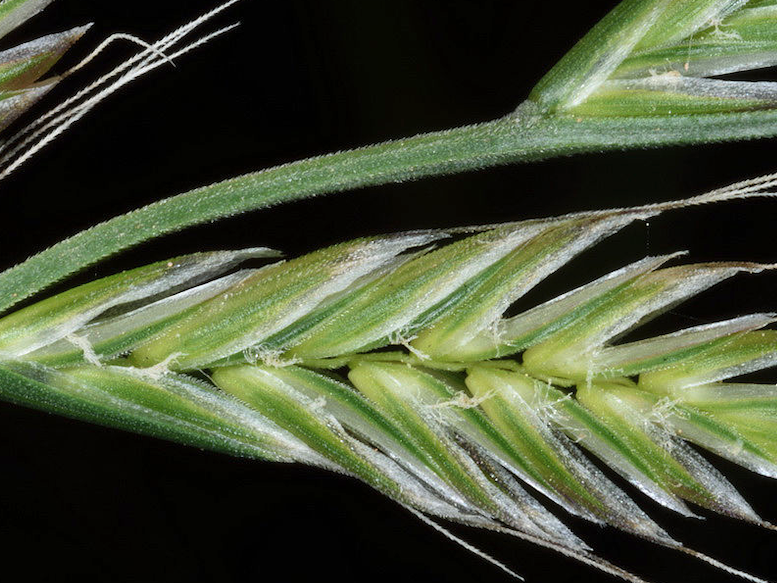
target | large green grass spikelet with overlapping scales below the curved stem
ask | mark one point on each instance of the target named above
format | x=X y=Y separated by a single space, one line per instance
x=456 y=439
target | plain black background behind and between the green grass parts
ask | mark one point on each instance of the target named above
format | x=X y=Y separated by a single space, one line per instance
x=300 y=78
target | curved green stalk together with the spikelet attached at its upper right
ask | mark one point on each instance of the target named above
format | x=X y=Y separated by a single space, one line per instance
x=632 y=82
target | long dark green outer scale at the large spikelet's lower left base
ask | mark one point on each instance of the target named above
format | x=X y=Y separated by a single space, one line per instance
x=175 y=408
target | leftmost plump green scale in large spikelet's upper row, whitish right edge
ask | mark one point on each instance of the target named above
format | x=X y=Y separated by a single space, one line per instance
x=268 y=301
